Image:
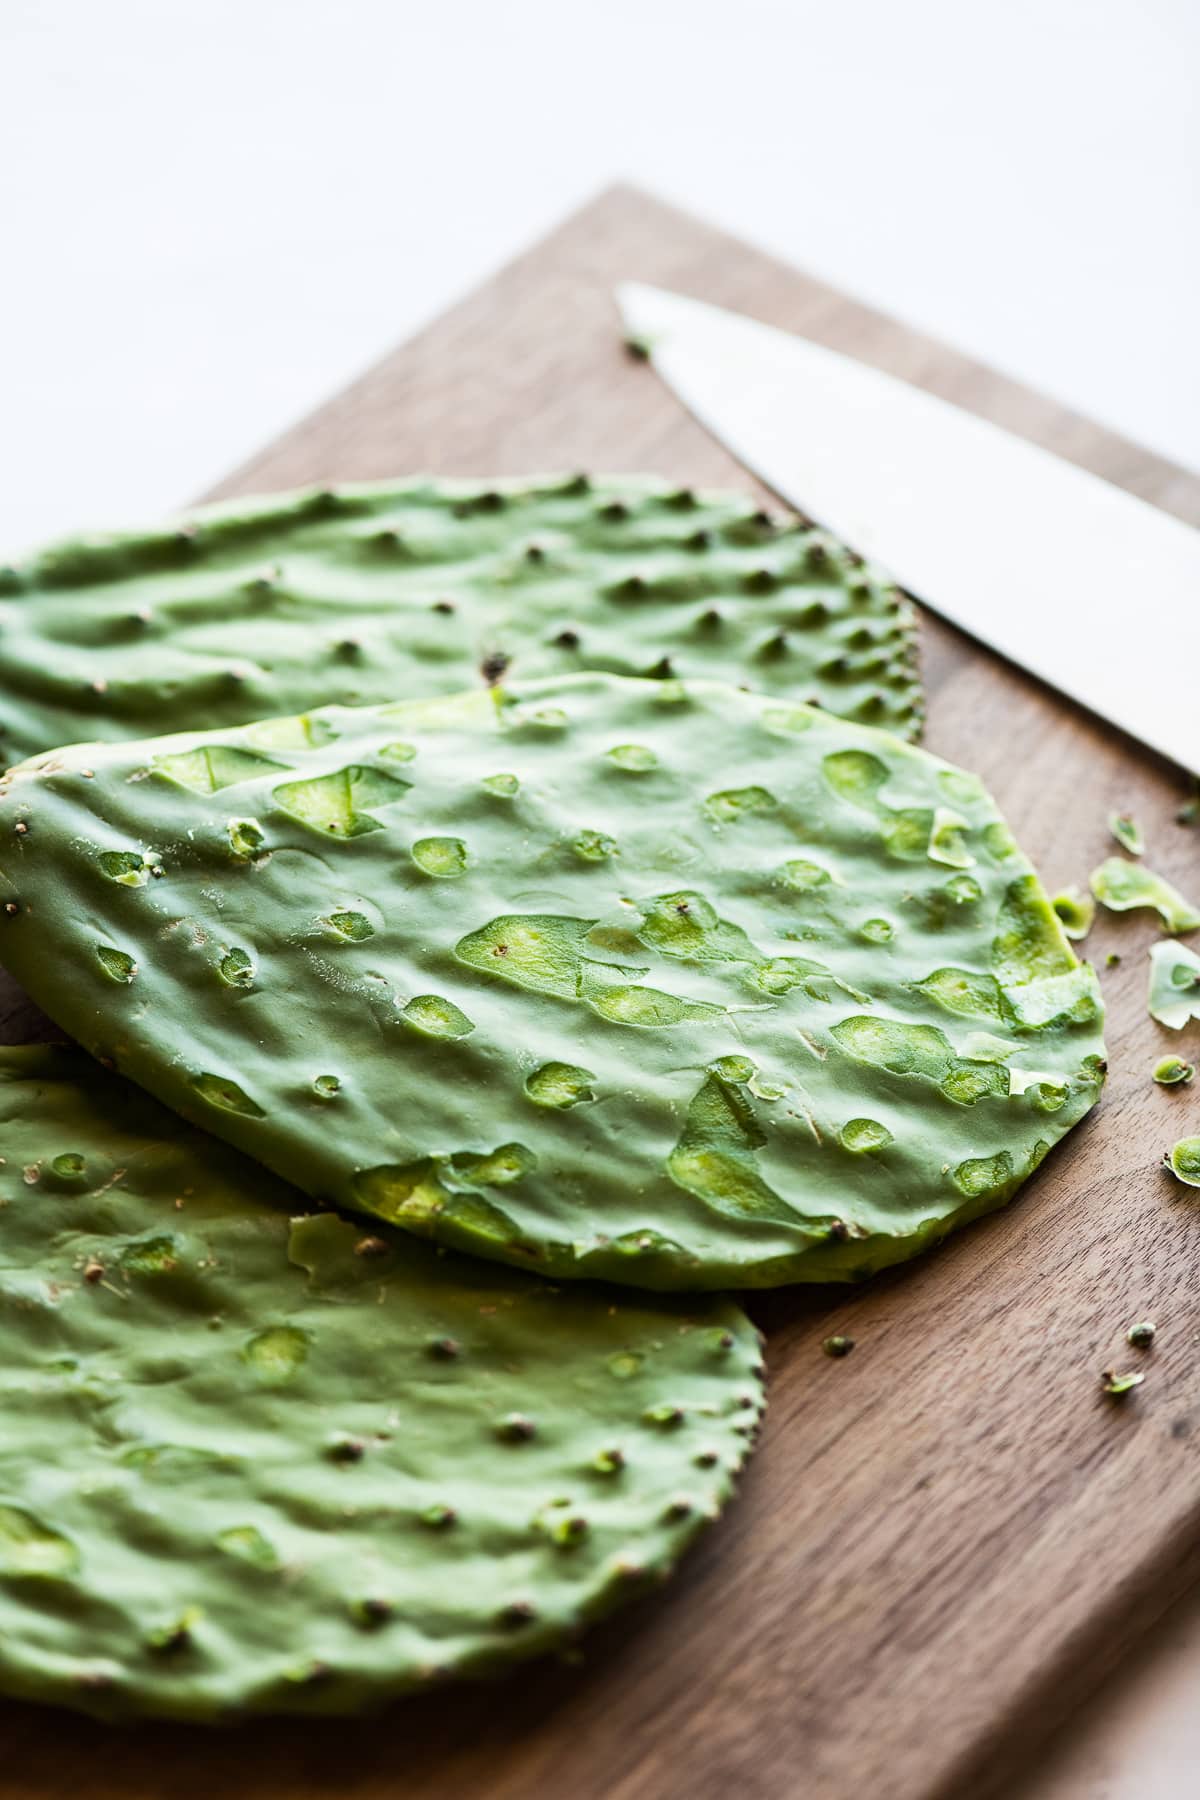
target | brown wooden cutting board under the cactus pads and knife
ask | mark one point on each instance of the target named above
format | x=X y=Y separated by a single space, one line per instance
x=945 y=1538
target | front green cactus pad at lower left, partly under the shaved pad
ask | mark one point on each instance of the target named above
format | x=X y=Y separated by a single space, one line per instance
x=258 y=1462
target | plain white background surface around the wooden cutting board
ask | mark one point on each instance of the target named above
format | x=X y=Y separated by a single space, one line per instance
x=217 y=211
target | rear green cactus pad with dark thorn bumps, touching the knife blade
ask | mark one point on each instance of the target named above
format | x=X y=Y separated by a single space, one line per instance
x=381 y=593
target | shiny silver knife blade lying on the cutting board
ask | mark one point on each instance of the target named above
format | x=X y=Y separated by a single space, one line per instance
x=1077 y=580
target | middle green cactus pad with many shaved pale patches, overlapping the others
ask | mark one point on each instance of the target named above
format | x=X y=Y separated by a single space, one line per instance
x=658 y=982
